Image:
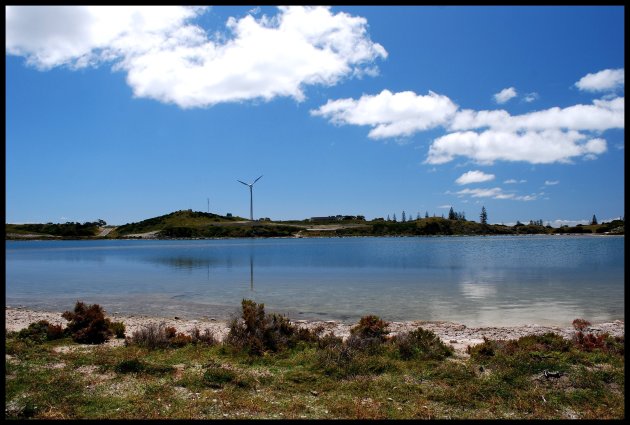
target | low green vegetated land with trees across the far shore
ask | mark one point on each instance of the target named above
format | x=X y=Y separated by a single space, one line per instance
x=195 y=224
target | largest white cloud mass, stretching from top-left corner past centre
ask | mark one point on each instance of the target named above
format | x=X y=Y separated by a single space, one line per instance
x=170 y=59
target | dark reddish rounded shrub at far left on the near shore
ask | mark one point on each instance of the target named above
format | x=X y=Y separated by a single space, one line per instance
x=88 y=324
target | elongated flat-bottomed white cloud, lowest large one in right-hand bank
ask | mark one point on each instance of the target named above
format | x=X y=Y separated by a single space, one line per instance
x=537 y=147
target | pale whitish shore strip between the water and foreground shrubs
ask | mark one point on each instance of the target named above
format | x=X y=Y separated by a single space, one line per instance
x=457 y=335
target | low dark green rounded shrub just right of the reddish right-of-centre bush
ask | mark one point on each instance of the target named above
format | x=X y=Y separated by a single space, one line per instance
x=422 y=344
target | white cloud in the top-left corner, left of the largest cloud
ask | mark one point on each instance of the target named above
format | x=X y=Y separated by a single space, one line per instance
x=50 y=36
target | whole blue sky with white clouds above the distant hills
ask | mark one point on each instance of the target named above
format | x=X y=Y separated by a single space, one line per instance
x=126 y=114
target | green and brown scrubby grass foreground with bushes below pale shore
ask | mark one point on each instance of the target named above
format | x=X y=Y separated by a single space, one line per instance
x=265 y=370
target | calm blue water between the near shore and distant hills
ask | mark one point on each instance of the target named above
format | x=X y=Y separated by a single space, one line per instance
x=479 y=281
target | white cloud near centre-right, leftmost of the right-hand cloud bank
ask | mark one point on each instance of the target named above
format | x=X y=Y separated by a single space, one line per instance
x=390 y=114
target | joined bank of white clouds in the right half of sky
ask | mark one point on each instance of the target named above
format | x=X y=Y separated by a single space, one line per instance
x=545 y=136
